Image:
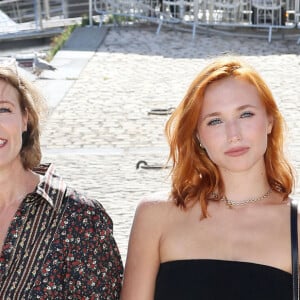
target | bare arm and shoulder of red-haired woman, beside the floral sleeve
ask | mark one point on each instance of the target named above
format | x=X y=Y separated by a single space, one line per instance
x=143 y=257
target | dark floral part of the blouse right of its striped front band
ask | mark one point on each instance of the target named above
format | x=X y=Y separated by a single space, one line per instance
x=83 y=261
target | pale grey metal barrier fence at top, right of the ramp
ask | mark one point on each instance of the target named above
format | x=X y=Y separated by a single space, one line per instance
x=263 y=14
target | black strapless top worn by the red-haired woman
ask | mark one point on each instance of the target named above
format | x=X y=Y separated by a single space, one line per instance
x=209 y=279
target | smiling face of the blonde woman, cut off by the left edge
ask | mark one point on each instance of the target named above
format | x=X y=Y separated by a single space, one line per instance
x=12 y=124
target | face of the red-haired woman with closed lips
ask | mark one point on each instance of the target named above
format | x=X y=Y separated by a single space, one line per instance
x=233 y=125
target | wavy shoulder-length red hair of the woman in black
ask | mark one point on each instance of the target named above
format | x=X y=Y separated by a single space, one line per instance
x=194 y=176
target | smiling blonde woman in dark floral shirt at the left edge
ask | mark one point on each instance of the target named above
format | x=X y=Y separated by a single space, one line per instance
x=54 y=242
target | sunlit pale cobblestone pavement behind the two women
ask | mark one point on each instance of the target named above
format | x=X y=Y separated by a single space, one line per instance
x=101 y=128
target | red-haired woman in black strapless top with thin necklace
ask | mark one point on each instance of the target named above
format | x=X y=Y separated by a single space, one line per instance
x=224 y=232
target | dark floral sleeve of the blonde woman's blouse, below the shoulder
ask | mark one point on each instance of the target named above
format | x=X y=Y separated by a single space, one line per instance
x=97 y=271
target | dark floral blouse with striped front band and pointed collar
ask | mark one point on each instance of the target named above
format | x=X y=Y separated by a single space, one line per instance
x=60 y=245
